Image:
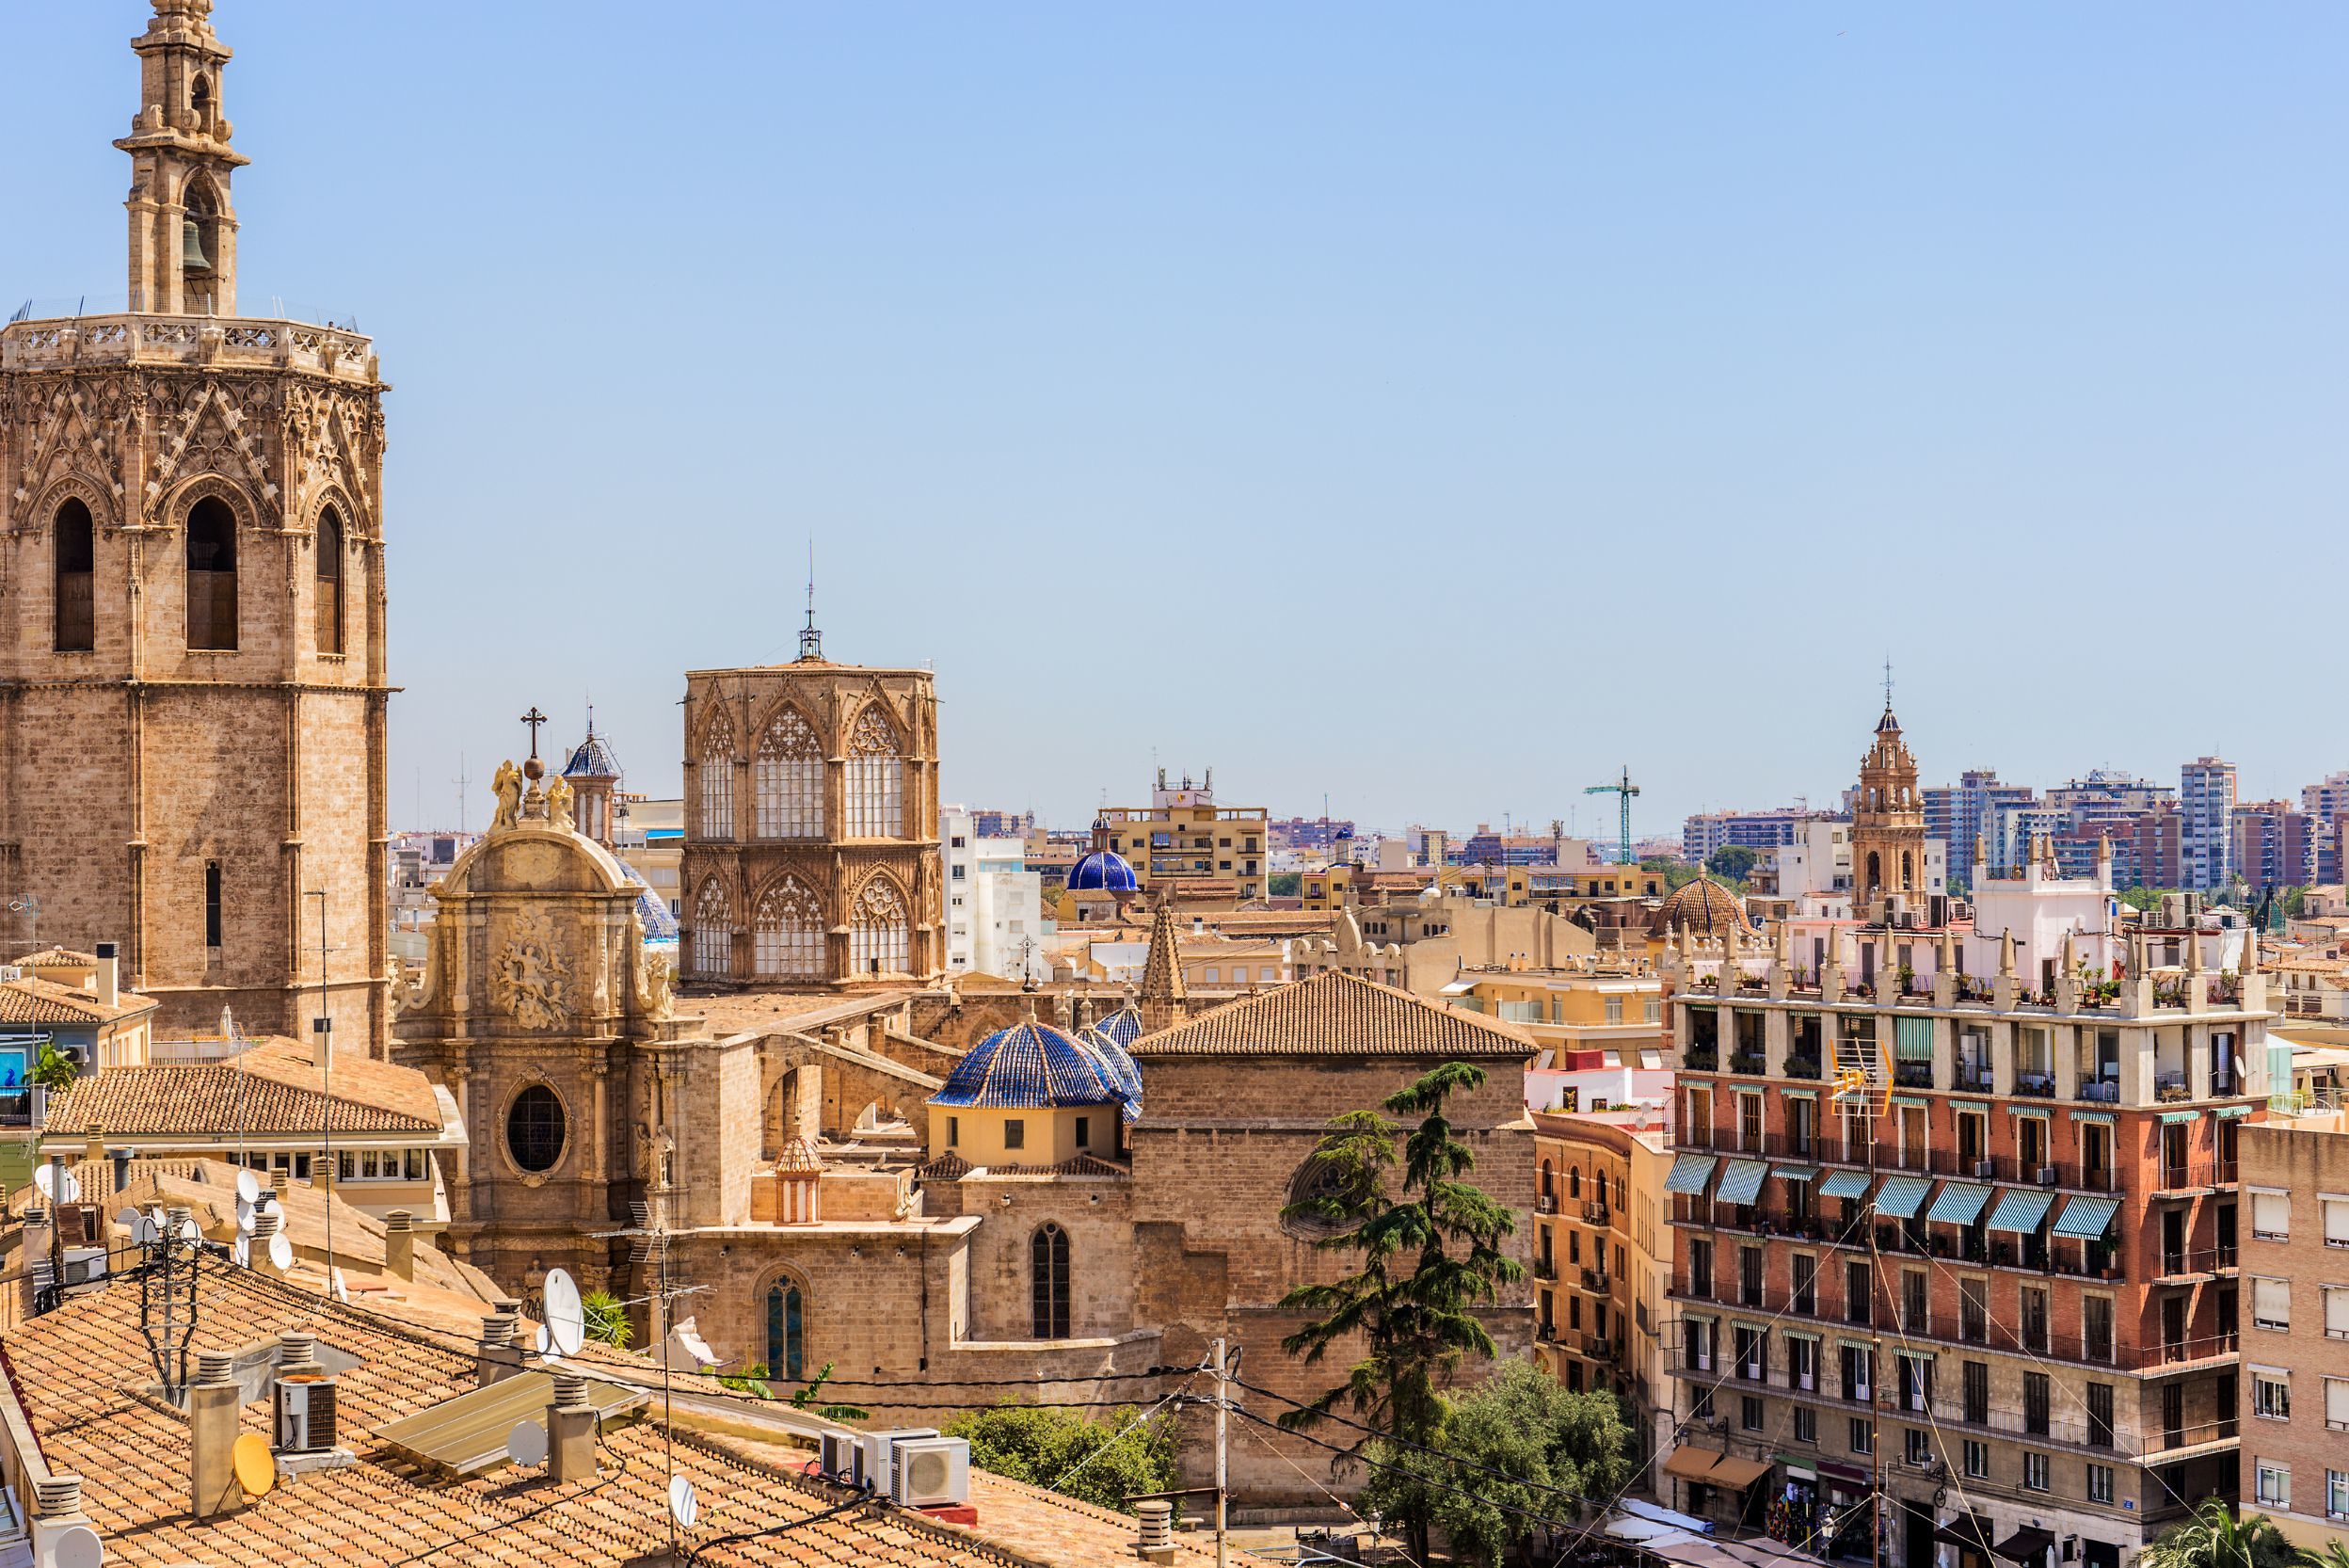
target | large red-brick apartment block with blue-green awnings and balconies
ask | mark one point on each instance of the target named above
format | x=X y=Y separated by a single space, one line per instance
x=2000 y=1289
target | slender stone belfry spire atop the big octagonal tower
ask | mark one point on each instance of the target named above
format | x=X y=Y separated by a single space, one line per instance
x=184 y=229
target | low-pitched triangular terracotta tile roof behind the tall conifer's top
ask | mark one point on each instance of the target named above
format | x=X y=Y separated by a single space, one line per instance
x=1338 y=1014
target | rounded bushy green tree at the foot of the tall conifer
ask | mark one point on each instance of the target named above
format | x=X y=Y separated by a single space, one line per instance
x=1521 y=1423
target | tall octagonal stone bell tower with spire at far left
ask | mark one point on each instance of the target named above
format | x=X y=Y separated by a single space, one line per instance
x=191 y=612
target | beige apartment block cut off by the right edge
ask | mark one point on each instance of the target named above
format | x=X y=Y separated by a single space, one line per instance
x=2296 y=1346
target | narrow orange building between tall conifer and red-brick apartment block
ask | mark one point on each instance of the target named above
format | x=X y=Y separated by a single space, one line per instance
x=1603 y=1264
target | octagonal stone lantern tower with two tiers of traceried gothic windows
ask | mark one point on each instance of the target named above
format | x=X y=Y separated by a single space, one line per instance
x=812 y=826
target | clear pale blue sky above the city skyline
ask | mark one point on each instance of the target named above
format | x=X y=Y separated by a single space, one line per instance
x=1584 y=387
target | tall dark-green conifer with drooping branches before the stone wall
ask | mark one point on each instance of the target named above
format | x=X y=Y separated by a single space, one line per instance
x=1425 y=1261
